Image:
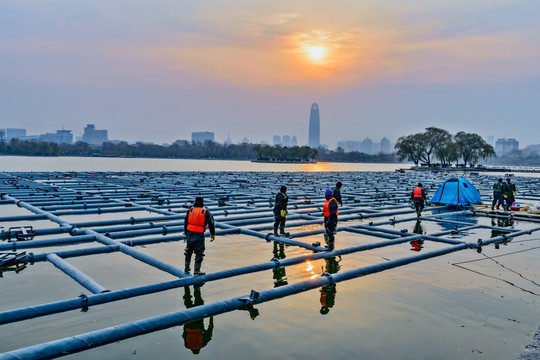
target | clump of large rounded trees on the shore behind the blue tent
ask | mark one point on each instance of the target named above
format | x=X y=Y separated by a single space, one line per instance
x=439 y=144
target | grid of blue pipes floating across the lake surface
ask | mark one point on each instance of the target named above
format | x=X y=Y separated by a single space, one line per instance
x=50 y=195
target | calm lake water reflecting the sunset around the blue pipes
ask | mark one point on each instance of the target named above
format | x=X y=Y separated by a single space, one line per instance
x=464 y=305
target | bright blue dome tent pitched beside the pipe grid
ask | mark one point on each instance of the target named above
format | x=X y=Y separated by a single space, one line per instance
x=456 y=191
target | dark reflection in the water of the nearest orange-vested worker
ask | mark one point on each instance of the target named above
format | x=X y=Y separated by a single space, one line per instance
x=196 y=335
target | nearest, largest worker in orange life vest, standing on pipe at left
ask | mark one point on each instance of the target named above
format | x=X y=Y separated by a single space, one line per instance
x=197 y=219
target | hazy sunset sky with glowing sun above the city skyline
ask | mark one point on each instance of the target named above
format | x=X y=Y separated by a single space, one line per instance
x=158 y=70
